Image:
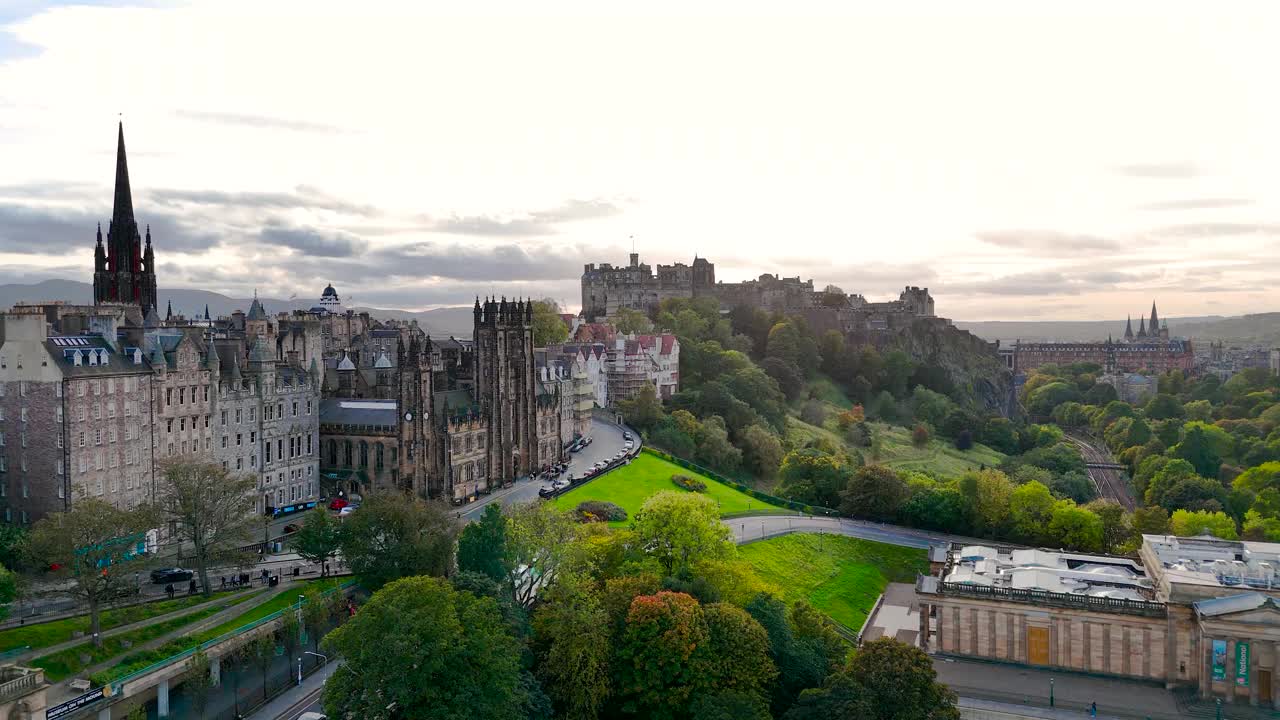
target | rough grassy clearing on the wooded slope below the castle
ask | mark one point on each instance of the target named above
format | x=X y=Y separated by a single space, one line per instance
x=940 y=457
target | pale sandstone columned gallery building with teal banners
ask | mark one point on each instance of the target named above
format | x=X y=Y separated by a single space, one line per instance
x=1196 y=613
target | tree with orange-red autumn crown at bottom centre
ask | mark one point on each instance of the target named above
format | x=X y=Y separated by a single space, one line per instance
x=656 y=664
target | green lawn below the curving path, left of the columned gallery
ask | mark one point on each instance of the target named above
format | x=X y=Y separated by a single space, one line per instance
x=839 y=576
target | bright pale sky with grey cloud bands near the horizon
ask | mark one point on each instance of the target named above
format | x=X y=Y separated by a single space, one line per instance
x=1022 y=165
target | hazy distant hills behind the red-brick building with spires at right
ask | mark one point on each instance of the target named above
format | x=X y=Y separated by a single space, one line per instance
x=1263 y=329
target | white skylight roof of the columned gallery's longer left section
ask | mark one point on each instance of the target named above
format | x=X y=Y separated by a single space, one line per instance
x=1067 y=573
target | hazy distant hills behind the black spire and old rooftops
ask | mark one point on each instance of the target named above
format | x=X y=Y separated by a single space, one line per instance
x=442 y=322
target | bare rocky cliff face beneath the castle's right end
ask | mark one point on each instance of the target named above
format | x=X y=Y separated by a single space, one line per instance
x=971 y=363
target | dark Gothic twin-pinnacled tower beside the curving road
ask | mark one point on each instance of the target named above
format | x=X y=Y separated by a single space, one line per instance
x=505 y=385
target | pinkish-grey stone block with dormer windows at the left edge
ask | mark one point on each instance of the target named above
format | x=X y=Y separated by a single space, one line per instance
x=75 y=420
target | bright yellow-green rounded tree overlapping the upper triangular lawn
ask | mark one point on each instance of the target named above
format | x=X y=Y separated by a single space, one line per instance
x=678 y=528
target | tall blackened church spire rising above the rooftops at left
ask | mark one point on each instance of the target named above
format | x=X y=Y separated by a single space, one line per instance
x=124 y=271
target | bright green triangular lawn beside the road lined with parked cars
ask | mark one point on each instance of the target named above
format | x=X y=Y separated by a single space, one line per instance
x=632 y=485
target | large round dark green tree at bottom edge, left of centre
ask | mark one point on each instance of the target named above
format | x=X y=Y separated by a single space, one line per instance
x=420 y=650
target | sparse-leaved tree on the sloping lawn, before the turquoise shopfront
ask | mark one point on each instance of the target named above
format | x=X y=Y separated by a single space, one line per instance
x=94 y=544
